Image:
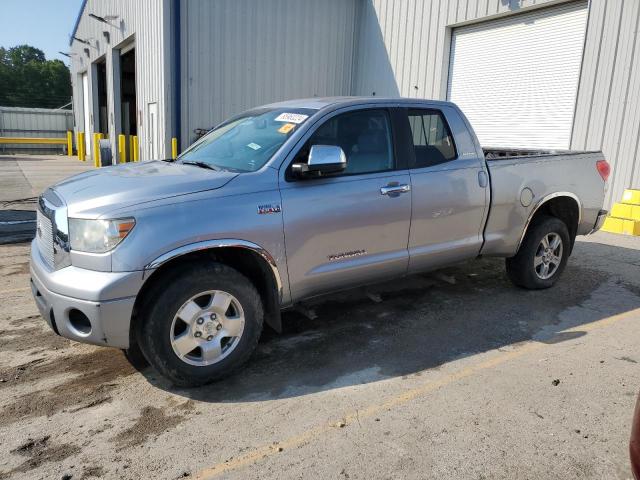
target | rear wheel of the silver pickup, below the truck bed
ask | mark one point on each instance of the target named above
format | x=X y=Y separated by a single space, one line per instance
x=525 y=269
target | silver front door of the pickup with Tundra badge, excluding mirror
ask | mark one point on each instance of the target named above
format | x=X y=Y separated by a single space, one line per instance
x=351 y=228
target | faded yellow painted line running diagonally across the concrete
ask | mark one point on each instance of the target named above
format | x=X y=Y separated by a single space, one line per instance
x=265 y=451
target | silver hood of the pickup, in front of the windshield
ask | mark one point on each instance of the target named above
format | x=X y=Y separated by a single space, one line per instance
x=95 y=193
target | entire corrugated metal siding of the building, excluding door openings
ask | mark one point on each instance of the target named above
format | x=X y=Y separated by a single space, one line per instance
x=238 y=54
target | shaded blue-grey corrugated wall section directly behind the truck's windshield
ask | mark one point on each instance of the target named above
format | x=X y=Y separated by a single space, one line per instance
x=238 y=54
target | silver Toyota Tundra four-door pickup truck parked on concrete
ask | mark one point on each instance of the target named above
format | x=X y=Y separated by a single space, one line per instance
x=185 y=260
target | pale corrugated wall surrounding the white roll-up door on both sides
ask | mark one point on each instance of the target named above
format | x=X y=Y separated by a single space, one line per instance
x=607 y=111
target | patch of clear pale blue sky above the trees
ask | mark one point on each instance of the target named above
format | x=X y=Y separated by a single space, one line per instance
x=44 y=24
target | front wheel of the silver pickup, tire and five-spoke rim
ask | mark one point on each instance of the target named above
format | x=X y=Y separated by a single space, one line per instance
x=170 y=325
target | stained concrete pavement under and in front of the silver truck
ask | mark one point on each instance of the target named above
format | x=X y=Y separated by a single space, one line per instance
x=473 y=379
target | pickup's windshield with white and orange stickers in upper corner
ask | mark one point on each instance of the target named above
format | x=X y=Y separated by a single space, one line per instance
x=247 y=142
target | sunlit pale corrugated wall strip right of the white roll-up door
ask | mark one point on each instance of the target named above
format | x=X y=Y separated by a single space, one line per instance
x=608 y=107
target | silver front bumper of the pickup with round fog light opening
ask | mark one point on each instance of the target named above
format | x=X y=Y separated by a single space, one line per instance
x=85 y=305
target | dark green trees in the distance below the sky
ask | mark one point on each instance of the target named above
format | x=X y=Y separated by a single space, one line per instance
x=28 y=79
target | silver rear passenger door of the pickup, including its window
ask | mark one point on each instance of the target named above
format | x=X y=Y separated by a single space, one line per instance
x=450 y=189
